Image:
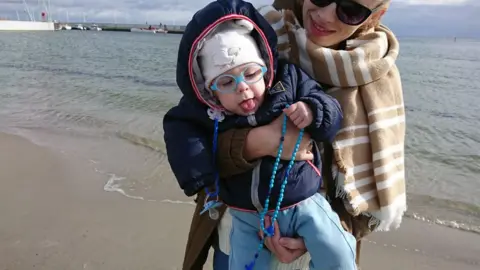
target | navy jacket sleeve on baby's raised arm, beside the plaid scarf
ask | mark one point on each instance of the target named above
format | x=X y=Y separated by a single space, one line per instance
x=326 y=109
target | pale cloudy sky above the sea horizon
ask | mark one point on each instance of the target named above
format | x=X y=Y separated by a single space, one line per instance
x=442 y=18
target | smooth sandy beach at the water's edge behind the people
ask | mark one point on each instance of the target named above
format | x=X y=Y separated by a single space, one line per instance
x=55 y=214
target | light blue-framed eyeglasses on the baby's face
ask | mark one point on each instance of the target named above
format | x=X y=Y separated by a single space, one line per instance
x=227 y=83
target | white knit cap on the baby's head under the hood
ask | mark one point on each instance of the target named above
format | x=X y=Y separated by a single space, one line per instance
x=230 y=46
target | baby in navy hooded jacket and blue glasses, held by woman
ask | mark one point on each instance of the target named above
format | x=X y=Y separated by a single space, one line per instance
x=234 y=81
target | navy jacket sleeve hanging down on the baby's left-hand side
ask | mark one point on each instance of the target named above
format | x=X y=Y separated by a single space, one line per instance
x=189 y=148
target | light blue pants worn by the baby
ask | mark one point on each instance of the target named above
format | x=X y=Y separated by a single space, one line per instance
x=330 y=246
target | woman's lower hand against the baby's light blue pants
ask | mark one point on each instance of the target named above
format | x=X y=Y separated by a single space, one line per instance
x=285 y=249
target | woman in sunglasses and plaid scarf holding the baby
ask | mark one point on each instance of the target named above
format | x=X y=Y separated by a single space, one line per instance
x=341 y=44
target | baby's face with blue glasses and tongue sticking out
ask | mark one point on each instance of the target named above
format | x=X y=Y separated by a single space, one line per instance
x=241 y=90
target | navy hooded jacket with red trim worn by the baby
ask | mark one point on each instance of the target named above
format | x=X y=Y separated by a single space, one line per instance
x=189 y=129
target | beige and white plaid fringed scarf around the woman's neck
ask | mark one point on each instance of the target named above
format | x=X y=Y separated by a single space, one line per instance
x=369 y=149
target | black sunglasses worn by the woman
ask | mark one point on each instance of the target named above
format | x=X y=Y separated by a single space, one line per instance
x=348 y=11
